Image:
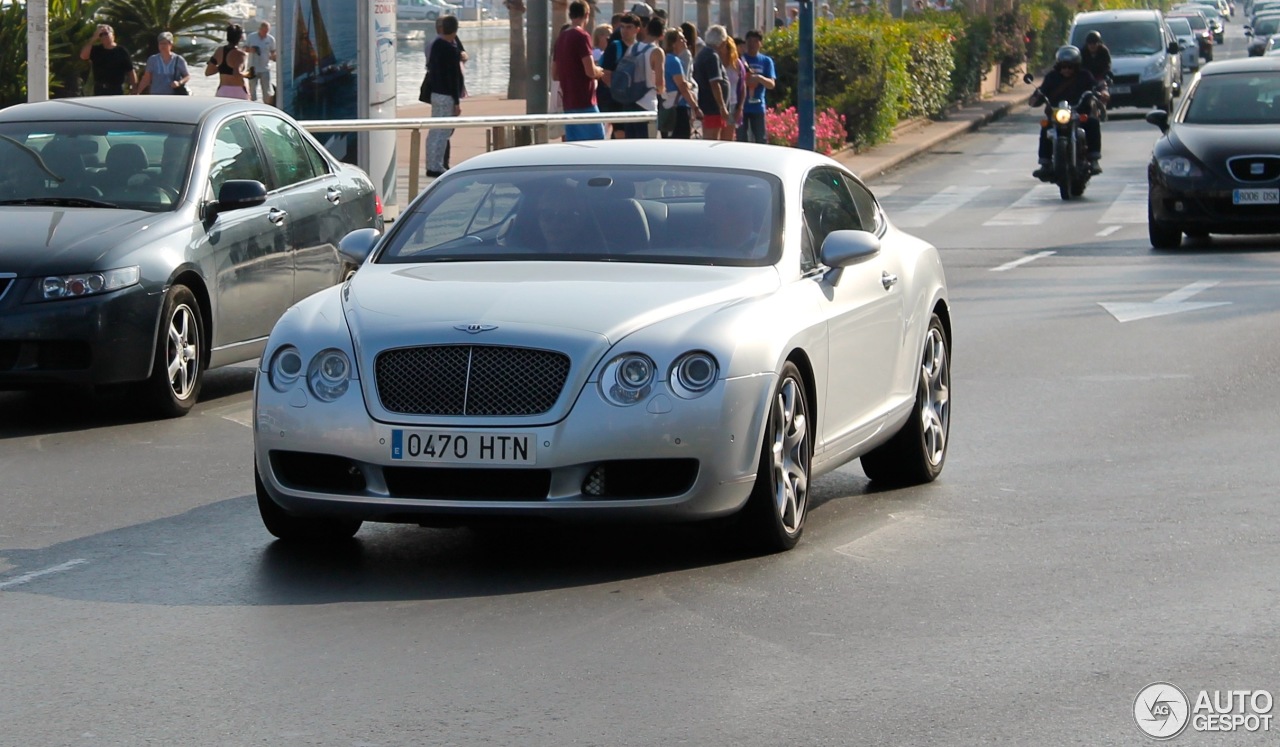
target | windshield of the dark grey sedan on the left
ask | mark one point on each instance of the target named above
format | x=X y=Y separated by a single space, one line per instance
x=135 y=166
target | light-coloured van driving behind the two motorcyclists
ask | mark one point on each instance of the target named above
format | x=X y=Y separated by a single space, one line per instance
x=1145 y=58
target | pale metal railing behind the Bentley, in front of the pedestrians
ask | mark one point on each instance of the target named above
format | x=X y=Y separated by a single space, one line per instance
x=508 y=131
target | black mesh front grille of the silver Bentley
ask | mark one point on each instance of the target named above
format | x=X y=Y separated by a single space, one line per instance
x=470 y=381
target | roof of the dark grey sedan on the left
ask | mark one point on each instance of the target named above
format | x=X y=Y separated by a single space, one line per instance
x=175 y=109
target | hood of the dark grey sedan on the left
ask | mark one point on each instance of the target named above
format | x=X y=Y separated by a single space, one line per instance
x=56 y=240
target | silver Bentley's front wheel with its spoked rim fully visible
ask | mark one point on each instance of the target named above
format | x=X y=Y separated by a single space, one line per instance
x=774 y=517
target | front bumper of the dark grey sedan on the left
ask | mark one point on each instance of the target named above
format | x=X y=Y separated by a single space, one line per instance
x=98 y=340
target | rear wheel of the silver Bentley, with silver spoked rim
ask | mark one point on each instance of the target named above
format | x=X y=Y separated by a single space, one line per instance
x=918 y=451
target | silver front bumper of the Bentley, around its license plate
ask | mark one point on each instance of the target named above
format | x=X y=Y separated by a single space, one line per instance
x=666 y=459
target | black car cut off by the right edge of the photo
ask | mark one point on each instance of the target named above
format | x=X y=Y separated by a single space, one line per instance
x=1217 y=168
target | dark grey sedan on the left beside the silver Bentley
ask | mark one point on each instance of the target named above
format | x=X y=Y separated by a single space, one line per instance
x=145 y=240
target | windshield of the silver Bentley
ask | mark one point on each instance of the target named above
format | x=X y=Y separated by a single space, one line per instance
x=607 y=214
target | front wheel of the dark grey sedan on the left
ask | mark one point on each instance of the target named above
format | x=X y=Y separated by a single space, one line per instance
x=180 y=363
